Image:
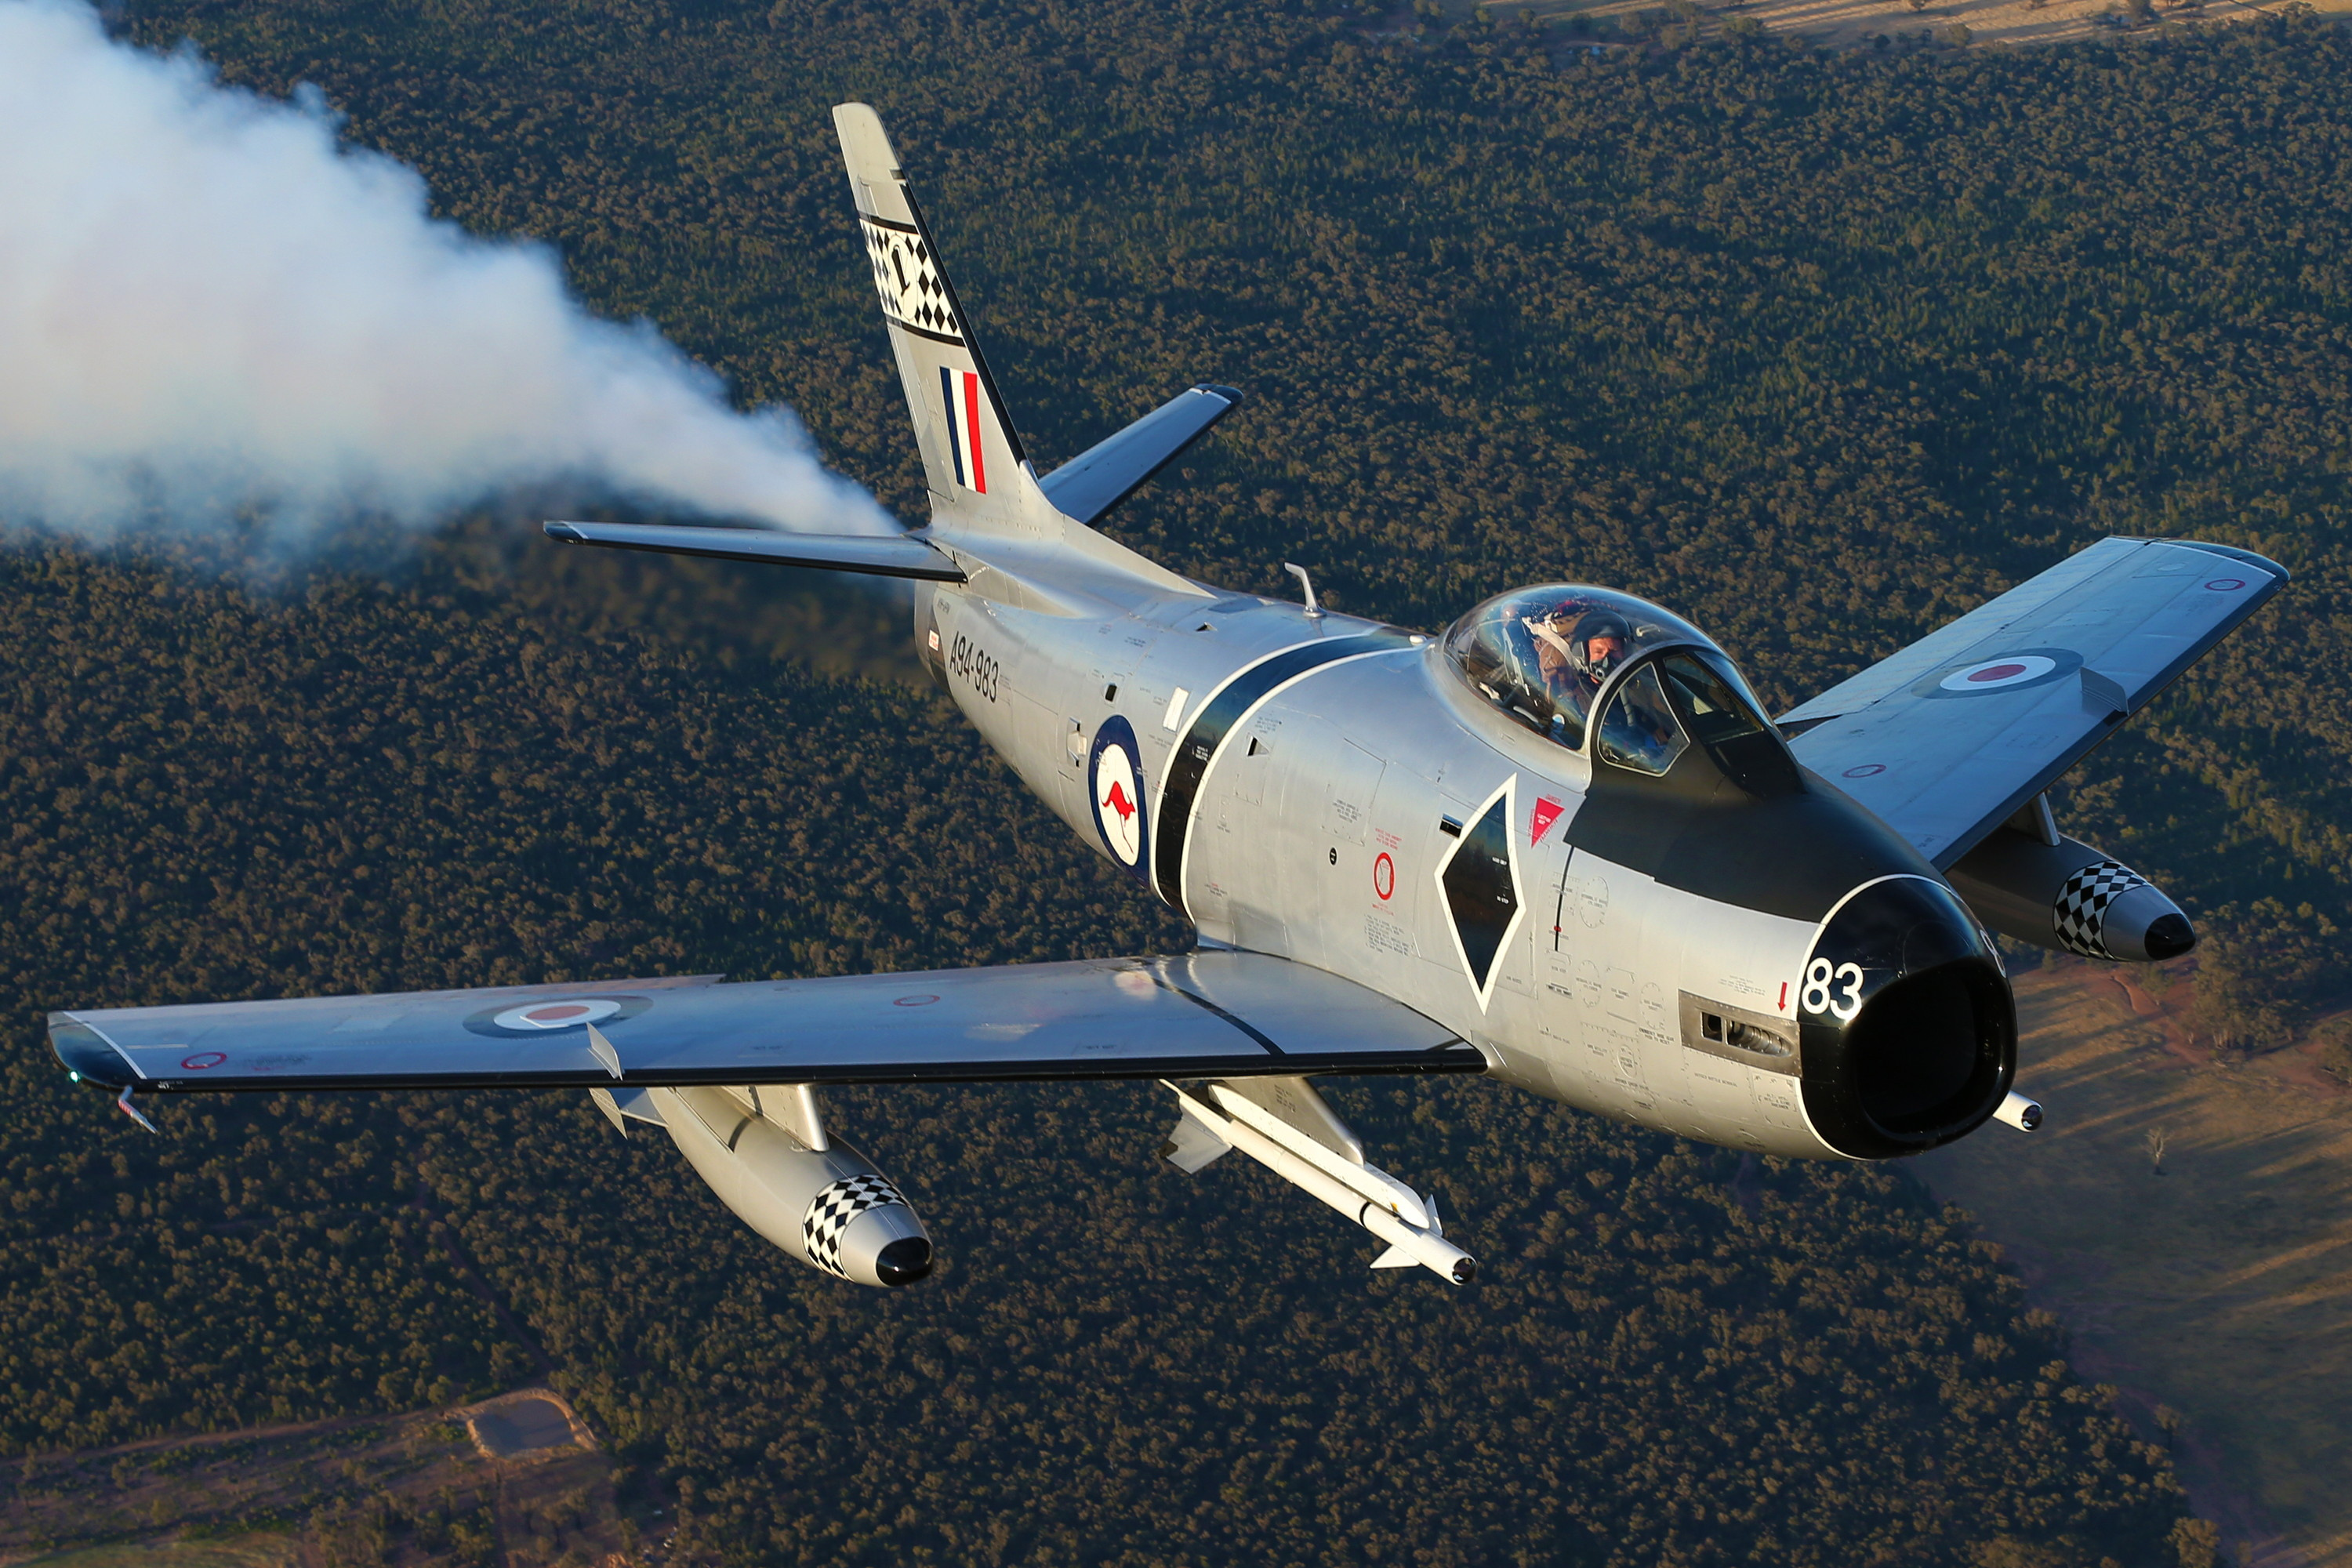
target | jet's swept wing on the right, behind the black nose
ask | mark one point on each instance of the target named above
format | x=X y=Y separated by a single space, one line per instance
x=1967 y=725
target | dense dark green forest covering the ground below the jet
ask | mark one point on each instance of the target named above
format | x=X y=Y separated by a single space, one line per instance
x=1815 y=349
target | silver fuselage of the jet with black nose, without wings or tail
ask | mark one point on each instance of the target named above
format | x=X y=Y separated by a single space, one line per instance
x=1763 y=967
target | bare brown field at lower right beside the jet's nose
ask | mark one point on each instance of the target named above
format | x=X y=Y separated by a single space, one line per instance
x=2219 y=1289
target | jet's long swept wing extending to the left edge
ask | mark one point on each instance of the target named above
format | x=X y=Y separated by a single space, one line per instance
x=1205 y=1014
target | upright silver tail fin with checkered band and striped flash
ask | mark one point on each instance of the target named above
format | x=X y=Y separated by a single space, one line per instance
x=980 y=478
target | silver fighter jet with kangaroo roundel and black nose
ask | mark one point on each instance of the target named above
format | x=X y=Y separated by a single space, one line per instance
x=1556 y=843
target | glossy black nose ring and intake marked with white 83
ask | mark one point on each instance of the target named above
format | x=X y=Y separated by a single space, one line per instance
x=1906 y=1021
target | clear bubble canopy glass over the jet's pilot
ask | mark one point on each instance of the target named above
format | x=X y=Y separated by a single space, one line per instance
x=1544 y=655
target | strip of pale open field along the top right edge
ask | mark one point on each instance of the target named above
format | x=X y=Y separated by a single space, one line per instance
x=1862 y=22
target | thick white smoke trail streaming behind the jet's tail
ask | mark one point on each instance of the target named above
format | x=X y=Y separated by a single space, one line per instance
x=211 y=309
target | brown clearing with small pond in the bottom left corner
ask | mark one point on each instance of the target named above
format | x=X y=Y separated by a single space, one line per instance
x=403 y=1489
